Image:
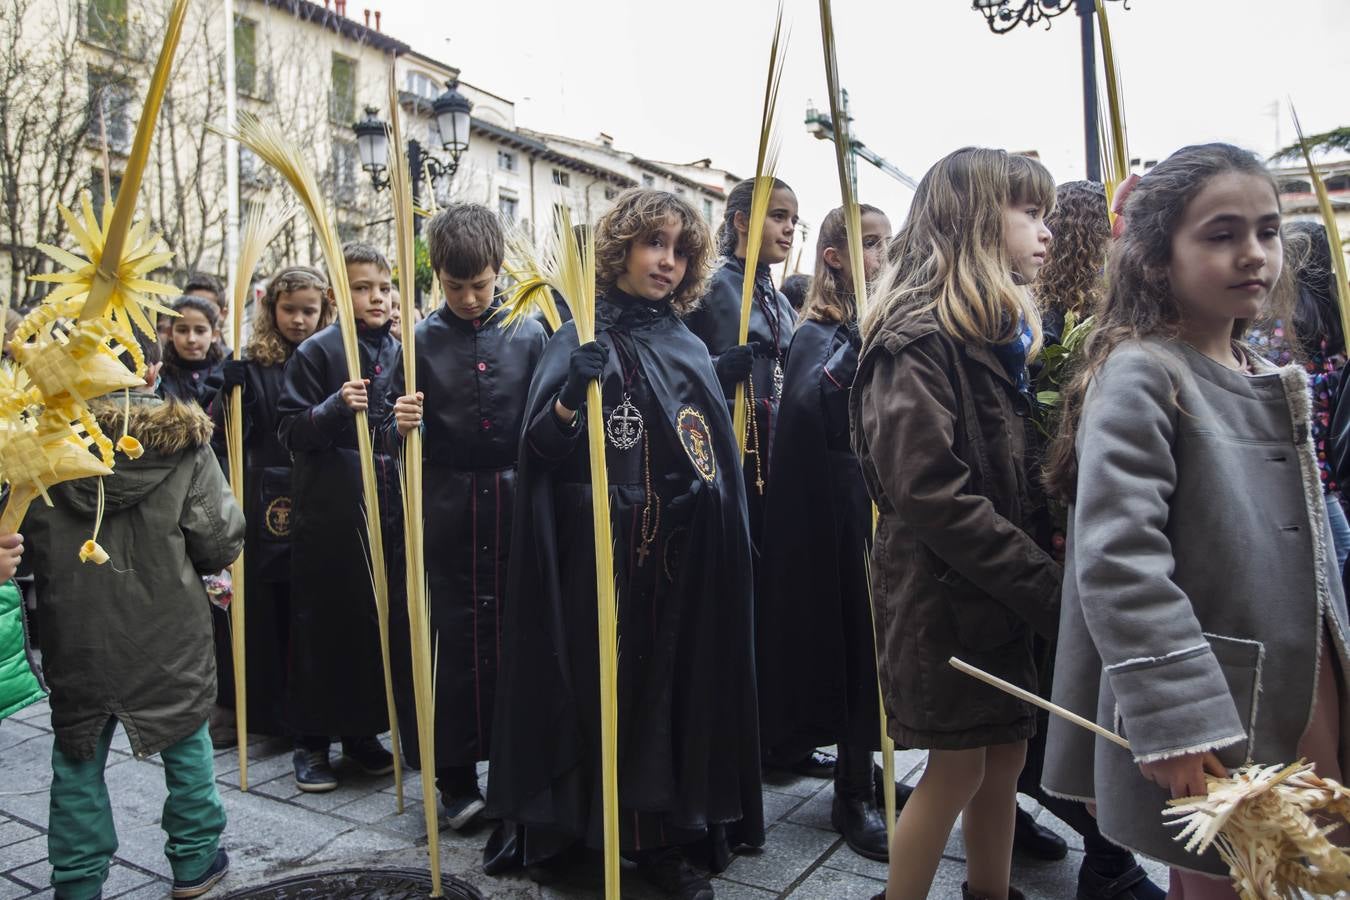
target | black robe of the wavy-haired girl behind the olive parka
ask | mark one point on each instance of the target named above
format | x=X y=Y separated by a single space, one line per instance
x=268 y=511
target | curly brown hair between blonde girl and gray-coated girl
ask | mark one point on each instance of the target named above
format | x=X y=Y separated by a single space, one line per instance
x=1073 y=279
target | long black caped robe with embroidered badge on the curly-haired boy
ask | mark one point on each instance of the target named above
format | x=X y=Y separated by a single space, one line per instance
x=688 y=735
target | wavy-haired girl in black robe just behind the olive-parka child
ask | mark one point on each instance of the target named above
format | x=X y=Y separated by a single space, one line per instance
x=296 y=304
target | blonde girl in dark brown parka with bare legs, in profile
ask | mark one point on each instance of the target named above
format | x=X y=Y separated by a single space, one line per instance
x=942 y=426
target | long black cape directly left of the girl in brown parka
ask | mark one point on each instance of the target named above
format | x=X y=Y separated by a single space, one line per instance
x=815 y=646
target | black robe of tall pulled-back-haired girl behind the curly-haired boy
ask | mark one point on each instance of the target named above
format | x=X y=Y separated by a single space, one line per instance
x=718 y=323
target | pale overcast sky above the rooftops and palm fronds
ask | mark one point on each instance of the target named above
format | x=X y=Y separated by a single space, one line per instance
x=684 y=80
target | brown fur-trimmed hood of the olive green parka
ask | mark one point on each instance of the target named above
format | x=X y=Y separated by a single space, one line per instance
x=165 y=430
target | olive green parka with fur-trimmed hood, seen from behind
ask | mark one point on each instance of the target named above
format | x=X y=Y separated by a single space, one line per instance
x=132 y=639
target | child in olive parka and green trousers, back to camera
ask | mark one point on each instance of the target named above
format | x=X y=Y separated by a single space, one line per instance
x=130 y=642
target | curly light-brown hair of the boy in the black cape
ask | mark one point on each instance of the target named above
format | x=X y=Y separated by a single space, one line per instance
x=639 y=214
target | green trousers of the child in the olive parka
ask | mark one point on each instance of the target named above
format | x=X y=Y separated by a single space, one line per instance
x=82 y=837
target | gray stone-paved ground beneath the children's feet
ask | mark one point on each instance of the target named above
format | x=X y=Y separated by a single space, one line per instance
x=275 y=832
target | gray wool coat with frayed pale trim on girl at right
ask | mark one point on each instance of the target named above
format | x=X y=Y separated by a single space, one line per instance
x=1198 y=586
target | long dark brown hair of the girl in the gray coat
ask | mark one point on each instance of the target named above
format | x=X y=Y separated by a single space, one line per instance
x=1139 y=296
